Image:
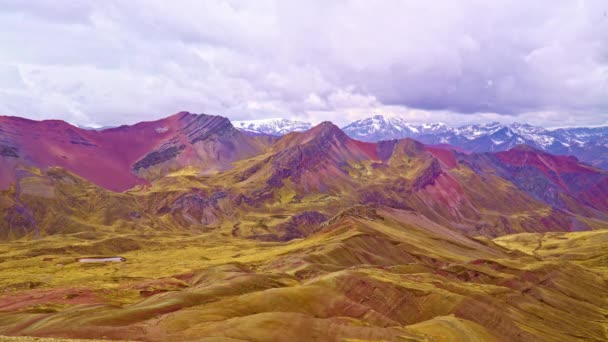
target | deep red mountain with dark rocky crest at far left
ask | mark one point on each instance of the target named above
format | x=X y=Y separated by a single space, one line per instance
x=119 y=158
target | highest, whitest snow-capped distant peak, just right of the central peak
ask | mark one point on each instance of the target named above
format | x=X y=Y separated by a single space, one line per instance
x=379 y=128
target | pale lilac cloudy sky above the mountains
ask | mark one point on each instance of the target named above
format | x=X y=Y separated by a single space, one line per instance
x=103 y=63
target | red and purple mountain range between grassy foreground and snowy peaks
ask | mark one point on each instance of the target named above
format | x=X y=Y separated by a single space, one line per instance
x=443 y=183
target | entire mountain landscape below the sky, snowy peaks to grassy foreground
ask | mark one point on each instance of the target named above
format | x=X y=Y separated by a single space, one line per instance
x=239 y=234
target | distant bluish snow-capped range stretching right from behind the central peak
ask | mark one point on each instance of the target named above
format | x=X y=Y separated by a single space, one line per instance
x=587 y=144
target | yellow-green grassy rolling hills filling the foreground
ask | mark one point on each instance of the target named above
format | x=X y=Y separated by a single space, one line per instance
x=366 y=275
